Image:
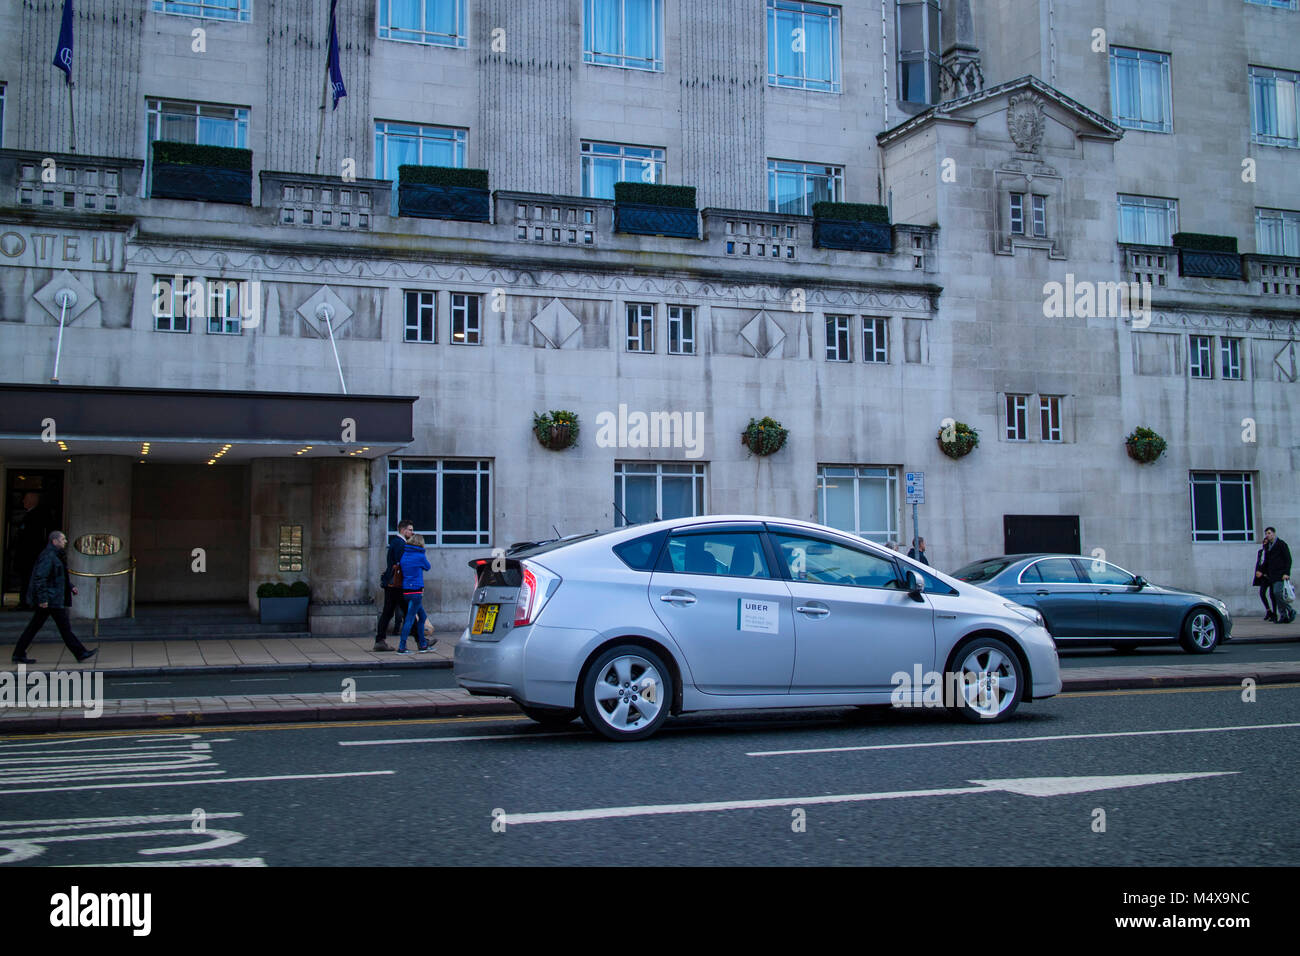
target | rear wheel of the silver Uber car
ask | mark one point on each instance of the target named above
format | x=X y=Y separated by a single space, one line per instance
x=627 y=694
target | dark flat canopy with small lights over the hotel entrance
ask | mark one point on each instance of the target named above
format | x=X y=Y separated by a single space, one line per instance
x=200 y=426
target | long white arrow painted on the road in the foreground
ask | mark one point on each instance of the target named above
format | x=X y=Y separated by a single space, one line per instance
x=1032 y=786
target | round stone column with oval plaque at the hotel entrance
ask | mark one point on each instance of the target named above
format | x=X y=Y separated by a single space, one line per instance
x=99 y=503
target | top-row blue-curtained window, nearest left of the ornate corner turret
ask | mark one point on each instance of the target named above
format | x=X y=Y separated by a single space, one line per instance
x=804 y=46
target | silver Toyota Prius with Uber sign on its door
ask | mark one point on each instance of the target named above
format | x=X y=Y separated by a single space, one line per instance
x=630 y=626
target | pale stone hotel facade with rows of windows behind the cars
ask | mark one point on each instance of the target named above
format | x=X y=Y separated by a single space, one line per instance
x=996 y=301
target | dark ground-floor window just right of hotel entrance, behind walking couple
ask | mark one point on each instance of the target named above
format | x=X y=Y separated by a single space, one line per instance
x=448 y=500
